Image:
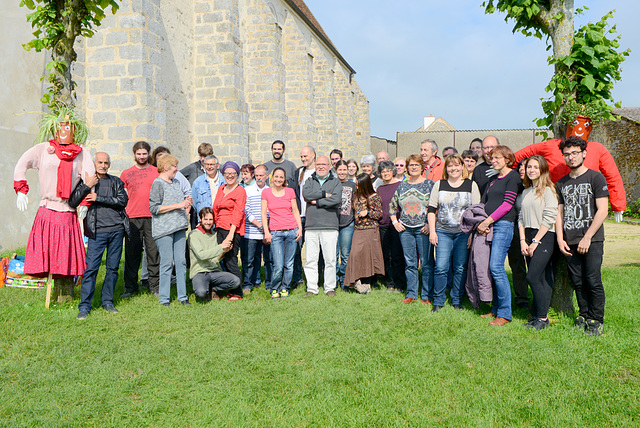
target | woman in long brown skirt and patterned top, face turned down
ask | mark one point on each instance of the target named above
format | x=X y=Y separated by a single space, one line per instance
x=365 y=258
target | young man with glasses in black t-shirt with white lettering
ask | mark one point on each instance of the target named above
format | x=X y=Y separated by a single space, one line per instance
x=582 y=207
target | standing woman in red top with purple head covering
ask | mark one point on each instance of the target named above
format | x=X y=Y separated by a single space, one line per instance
x=228 y=209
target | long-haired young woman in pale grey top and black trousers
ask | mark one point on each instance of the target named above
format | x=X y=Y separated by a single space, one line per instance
x=537 y=236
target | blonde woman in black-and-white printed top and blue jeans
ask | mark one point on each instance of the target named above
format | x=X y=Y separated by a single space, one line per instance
x=449 y=198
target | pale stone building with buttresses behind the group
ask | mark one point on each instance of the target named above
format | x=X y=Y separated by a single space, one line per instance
x=238 y=74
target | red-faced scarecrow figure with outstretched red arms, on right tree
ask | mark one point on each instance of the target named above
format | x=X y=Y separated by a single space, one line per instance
x=598 y=159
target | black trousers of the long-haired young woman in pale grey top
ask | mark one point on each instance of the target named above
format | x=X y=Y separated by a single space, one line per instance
x=540 y=272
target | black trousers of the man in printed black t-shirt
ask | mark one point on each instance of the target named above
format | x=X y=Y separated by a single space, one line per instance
x=584 y=273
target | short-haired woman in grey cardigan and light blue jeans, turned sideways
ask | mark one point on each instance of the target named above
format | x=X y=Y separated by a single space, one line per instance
x=169 y=209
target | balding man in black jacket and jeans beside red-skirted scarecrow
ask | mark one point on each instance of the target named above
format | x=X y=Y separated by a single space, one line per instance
x=105 y=226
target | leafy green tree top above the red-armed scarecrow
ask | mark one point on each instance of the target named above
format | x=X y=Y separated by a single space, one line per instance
x=586 y=61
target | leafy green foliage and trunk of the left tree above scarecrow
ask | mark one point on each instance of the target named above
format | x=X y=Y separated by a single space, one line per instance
x=57 y=24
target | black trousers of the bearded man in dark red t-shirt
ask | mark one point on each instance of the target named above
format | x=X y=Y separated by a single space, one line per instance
x=140 y=231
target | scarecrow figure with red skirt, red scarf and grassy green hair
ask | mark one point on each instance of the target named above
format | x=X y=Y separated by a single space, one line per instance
x=55 y=245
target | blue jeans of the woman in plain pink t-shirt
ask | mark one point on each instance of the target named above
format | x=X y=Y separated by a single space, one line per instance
x=283 y=251
